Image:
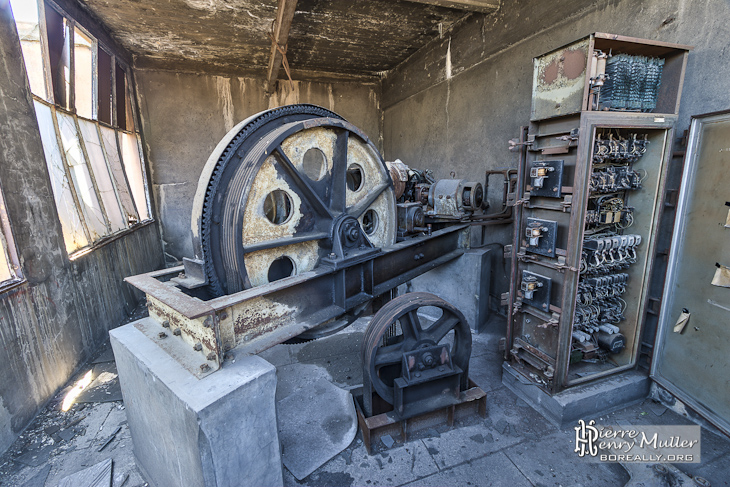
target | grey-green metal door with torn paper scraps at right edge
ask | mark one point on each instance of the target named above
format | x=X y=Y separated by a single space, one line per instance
x=693 y=364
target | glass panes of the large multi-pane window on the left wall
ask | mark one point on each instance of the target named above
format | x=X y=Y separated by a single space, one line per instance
x=82 y=97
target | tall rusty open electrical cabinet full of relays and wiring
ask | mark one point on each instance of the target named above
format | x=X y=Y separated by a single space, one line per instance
x=591 y=189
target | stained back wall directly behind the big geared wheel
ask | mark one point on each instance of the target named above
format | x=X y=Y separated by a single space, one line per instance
x=184 y=116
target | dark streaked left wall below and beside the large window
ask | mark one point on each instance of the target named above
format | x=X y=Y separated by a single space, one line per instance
x=52 y=323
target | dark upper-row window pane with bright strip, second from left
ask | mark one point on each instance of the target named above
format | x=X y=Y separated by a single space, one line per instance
x=59 y=50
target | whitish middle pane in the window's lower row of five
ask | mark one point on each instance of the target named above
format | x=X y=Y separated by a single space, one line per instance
x=101 y=174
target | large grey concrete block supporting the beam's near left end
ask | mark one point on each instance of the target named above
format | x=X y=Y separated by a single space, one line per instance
x=216 y=431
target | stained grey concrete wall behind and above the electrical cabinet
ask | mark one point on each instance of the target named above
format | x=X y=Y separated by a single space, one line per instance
x=454 y=105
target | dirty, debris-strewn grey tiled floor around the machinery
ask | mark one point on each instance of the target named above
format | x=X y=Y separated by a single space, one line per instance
x=513 y=446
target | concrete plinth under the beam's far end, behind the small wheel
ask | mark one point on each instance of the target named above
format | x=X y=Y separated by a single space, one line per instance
x=463 y=282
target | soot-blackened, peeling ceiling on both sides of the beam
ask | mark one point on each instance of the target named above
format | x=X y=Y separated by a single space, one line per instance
x=337 y=38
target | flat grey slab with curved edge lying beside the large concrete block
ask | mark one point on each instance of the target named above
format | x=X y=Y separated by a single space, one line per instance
x=316 y=423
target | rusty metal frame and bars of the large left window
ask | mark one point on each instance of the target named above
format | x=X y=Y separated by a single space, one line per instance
x=116 y=64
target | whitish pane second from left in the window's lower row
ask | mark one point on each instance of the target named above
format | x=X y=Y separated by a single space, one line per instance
x=85 y=191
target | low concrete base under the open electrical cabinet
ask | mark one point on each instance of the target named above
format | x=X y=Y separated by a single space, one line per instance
x=585 y=401
